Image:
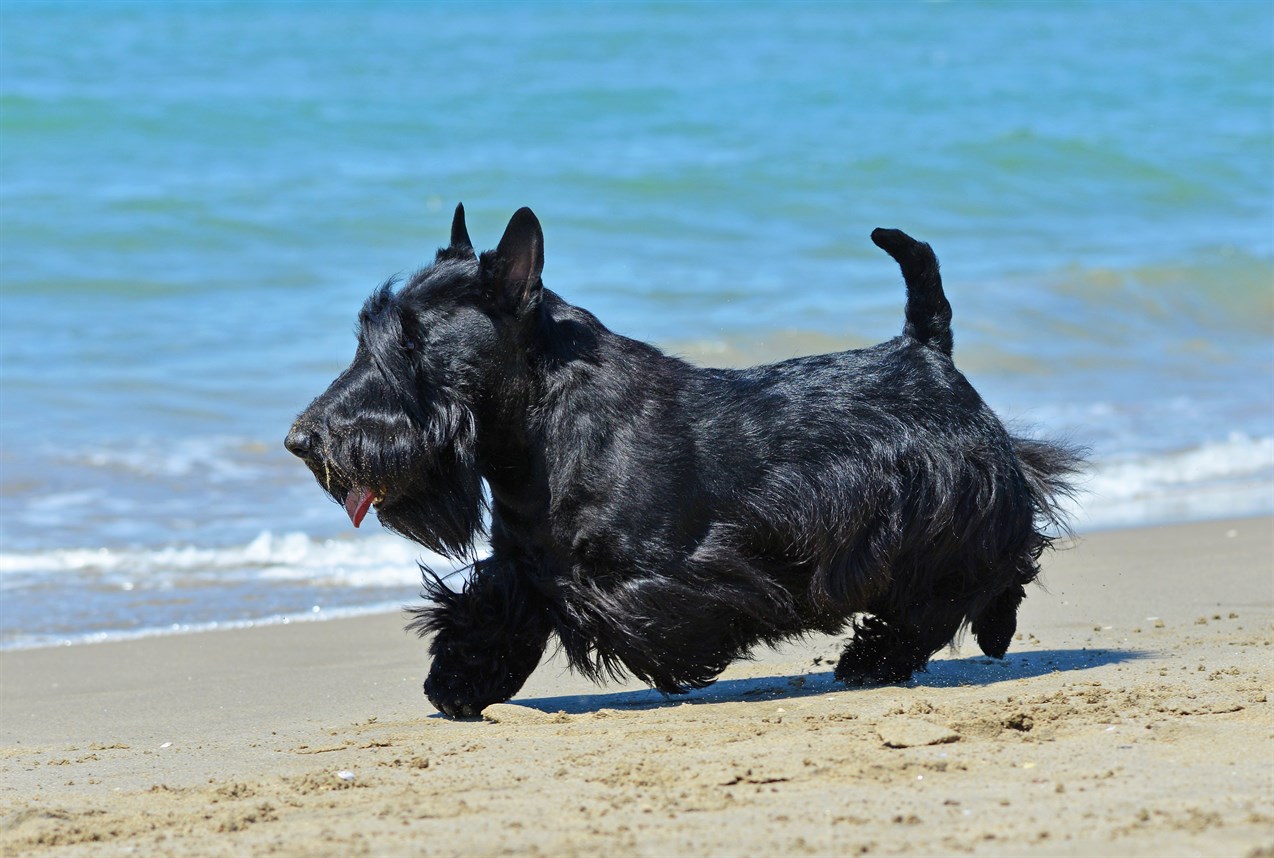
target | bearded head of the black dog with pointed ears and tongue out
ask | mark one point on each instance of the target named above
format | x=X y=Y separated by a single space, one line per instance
x=399 y=429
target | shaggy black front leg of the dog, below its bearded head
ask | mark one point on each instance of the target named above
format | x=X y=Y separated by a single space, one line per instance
x=487 y=639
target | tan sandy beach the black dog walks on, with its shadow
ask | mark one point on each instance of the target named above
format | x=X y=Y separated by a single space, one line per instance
x=1132 y=718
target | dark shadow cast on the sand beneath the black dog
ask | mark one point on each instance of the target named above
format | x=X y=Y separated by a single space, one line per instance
x=945 y=674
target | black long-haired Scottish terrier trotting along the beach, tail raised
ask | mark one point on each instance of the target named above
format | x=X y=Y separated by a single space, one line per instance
x=663 y=520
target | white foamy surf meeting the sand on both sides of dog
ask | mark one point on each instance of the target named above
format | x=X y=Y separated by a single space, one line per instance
x=134 y=592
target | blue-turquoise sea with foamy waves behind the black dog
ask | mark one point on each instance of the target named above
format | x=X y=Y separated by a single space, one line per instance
x=196 y=200
